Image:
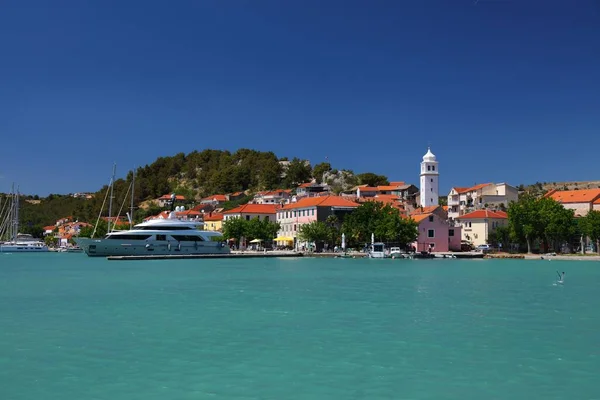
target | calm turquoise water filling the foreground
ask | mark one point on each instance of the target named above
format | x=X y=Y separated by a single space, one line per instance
x=73 y=327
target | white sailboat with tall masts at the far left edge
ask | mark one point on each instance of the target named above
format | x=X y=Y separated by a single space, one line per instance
x=9 y=228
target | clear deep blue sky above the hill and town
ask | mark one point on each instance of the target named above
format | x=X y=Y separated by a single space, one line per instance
x=503 y=90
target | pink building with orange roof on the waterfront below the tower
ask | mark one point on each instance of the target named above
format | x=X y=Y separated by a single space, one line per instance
x=436 y=234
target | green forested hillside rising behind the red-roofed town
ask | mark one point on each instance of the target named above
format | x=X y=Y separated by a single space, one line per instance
x=195 y=175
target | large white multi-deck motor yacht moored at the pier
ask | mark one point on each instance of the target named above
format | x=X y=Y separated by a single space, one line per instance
x=160 y=236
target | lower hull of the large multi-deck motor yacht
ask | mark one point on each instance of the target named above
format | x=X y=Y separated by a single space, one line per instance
x=112 y=247
